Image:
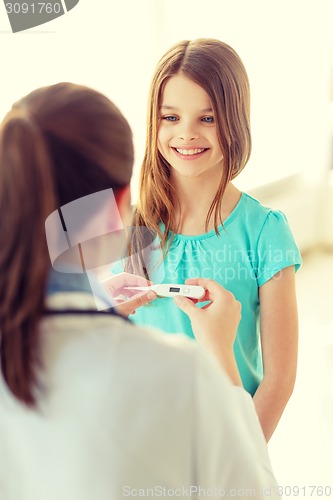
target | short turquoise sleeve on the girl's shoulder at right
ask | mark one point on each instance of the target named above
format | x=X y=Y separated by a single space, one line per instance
x=276 y=248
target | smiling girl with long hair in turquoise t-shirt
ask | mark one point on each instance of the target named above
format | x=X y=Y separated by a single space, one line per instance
x=198 y=141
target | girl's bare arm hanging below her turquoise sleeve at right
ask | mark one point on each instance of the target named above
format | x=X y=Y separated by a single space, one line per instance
x=279 y=342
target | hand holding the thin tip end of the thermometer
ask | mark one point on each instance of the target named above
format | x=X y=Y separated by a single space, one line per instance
x=128 y=300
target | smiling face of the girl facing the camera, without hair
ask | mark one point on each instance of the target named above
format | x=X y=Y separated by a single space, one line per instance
x=187 y=135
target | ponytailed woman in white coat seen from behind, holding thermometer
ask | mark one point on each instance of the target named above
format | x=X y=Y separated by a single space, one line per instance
x=91 y=406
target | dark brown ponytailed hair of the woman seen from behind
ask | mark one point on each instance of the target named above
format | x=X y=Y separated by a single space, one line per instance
x=57 y=144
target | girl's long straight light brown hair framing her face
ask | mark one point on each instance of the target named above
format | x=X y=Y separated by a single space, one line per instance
x=217 y=68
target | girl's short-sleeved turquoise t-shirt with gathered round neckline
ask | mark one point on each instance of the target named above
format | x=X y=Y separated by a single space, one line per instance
x=255 y=243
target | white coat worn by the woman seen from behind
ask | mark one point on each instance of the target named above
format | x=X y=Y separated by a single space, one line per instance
x=124 y=412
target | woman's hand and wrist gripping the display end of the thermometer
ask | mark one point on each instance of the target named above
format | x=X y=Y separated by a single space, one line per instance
x=215 y=324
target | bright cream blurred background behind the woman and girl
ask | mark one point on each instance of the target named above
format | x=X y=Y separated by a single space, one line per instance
x=287 y=48
